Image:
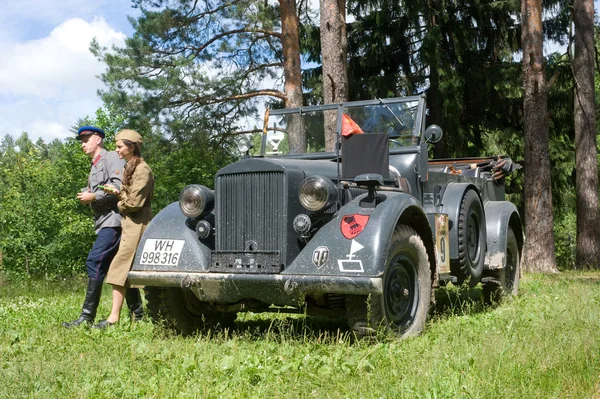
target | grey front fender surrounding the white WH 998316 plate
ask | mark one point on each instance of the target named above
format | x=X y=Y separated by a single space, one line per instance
x=171 y=224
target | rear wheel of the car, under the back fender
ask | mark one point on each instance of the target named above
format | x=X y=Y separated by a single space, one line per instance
x=509 y=276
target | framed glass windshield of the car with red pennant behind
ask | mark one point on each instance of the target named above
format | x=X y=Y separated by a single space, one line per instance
x=313 y=129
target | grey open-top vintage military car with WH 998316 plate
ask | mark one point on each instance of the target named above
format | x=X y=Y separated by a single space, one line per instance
x=367 y=229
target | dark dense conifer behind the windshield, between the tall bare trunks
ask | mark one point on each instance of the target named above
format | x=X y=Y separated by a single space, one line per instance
x=459 y=53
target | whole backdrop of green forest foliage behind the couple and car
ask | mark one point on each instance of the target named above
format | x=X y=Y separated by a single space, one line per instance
x=194 y=72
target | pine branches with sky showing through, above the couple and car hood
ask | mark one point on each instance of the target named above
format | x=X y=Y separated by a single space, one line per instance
x=187 y=78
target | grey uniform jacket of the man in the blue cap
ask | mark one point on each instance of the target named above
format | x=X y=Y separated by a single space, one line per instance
x=106 y=168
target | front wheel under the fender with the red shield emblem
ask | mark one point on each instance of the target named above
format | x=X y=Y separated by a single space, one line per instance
x=404 y=305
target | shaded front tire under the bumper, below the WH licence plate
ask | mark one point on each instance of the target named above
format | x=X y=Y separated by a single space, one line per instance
x=182 y=311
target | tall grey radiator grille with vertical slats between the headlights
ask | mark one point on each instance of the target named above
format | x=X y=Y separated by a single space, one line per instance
x=251 y=212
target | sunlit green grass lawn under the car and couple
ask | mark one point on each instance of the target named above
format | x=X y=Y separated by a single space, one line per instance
x=543 y=344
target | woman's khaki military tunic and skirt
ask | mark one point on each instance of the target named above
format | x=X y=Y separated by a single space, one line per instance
x=134 y=203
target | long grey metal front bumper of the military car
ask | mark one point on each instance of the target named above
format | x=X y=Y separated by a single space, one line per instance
x=278 y=289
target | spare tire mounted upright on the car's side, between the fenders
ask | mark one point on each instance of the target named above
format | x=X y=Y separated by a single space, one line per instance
x=471 y=240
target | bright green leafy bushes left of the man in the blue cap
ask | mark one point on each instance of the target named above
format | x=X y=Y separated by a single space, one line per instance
x=42 y=227
